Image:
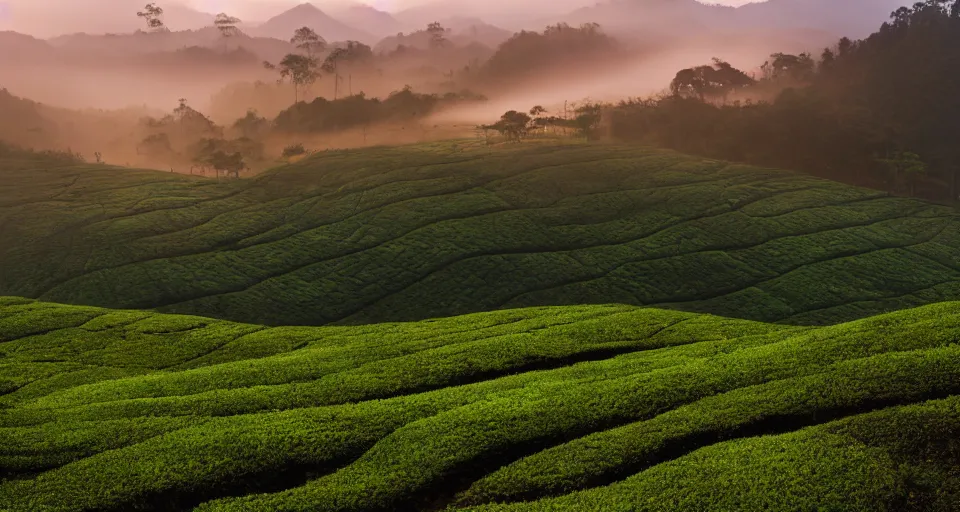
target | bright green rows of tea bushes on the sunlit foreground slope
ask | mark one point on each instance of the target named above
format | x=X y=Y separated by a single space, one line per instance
x=578 y=407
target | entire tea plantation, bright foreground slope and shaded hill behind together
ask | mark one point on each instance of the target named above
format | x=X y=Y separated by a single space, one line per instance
x=451 y=326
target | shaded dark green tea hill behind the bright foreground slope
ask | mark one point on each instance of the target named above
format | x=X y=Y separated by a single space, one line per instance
x=395 y=234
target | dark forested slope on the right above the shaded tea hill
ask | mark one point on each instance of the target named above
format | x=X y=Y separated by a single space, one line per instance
x=856 y=114
